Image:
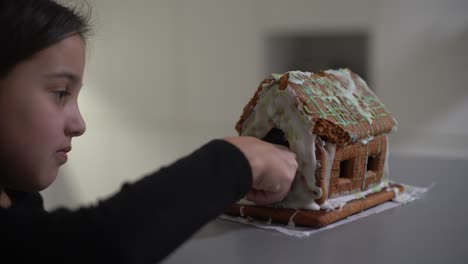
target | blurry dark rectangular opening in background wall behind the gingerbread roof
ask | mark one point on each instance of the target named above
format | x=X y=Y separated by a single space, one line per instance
x=309 y=51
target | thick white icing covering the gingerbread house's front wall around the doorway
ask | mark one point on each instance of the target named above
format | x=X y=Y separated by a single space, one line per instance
x=275 y=108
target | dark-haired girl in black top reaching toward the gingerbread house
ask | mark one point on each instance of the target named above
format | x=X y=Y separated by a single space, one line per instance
x=42 y=58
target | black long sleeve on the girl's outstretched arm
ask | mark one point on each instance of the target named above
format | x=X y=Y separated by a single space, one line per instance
x=143 y=223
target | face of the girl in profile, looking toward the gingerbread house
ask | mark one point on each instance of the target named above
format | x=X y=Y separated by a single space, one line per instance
x=39 y=115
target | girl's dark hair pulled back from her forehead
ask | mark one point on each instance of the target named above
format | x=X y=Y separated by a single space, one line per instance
x=29 y=26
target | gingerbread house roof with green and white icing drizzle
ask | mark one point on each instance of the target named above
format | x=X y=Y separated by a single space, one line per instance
x=339 y=104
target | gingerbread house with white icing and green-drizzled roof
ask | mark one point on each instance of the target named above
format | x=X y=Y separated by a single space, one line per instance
x=338 y=129
